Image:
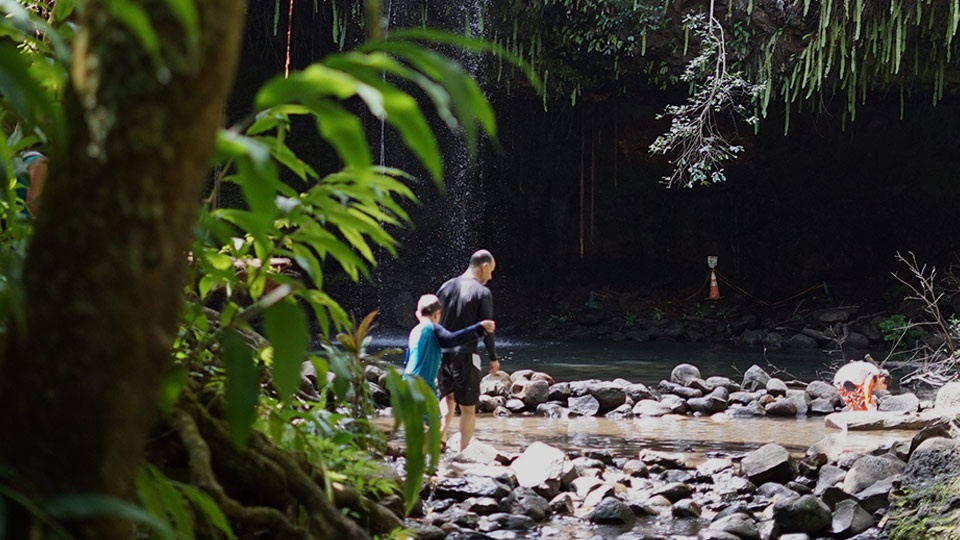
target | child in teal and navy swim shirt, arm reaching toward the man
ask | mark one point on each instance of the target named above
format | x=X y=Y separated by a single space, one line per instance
x=428 y=337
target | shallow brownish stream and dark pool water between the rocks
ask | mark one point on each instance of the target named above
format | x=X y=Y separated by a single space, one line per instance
x=648 y=363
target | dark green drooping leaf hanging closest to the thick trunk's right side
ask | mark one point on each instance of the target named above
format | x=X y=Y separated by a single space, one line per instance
x=243 y=386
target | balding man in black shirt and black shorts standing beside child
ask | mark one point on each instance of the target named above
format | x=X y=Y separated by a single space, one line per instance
x=466 y=300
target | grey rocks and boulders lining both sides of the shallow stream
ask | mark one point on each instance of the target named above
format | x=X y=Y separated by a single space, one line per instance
x=545 y=492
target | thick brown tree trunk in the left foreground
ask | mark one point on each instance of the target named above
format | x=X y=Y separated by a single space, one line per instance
x=105 y=273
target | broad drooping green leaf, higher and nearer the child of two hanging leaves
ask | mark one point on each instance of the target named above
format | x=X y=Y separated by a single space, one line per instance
x=286 y=327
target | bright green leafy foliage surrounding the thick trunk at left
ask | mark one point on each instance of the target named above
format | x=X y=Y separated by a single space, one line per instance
x=343 y=216
